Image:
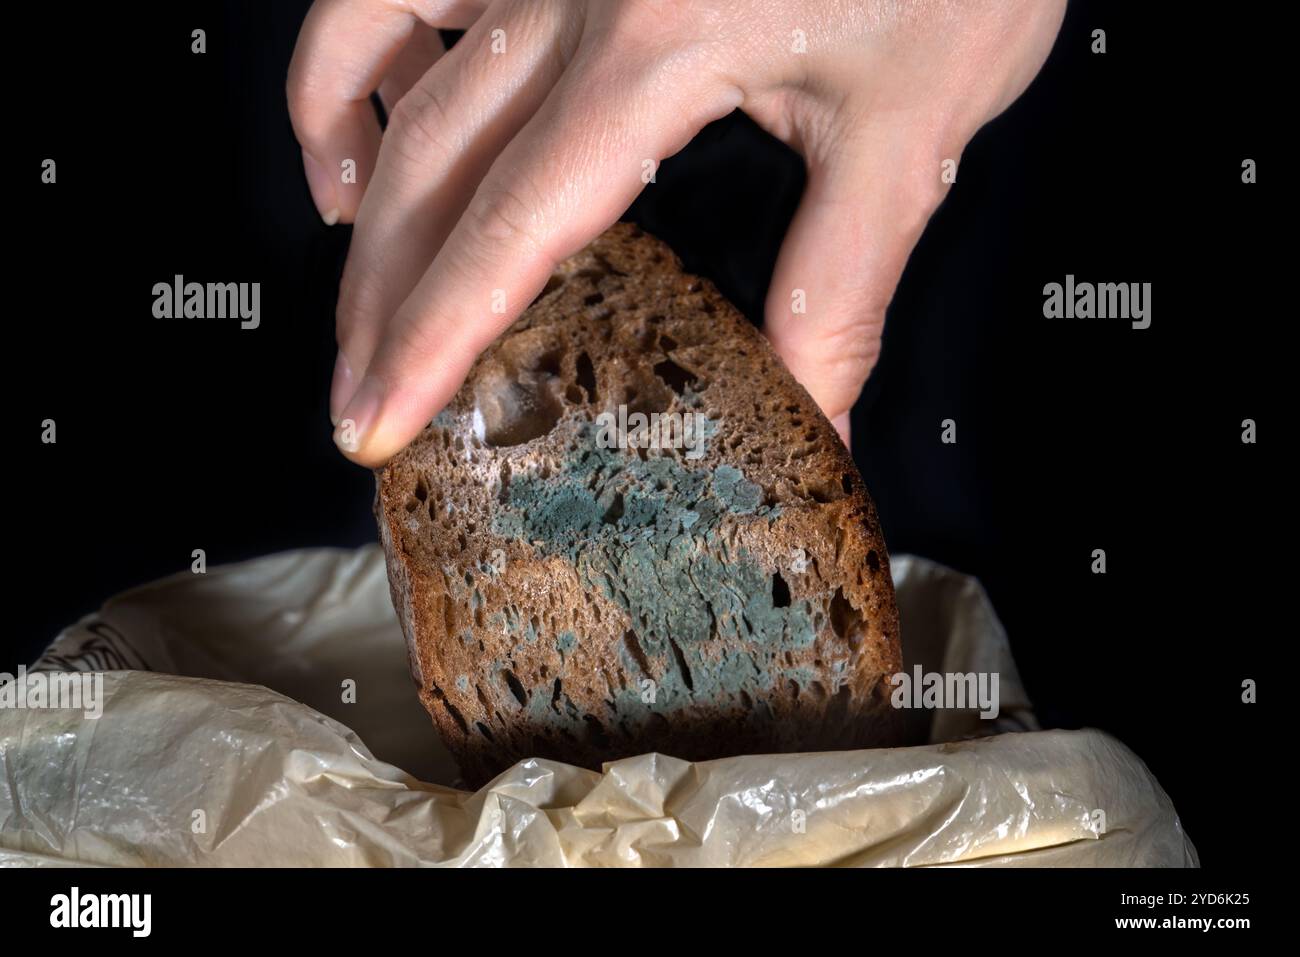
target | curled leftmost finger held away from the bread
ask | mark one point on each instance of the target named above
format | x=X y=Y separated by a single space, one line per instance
x=343 y=54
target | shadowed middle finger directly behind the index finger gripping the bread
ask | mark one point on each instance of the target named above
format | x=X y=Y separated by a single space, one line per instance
x=441 y=140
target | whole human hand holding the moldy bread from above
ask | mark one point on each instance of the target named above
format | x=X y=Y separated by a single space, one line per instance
x=531 y=137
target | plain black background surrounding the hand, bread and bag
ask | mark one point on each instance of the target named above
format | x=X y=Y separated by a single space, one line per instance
x=1072 y=436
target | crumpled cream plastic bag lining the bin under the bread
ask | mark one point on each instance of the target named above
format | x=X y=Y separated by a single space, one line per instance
x=228 y=738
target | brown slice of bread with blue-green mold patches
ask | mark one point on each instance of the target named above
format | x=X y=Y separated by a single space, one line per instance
x=579 y=583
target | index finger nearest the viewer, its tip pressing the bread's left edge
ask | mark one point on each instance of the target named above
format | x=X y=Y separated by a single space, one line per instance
x=570 y=174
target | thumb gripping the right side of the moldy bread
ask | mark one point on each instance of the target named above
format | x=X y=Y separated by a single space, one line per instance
x=863 y=213
